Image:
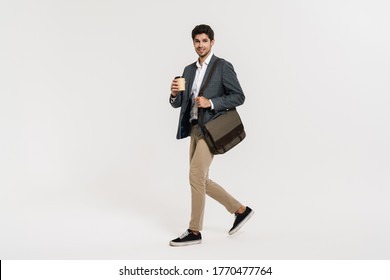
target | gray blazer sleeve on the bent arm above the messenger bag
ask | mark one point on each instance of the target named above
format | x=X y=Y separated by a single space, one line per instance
x=234 y=96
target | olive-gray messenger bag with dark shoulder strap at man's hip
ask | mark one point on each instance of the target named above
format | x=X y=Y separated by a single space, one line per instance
x=225 y=131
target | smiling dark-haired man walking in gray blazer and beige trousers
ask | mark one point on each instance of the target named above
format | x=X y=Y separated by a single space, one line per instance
x=223 y=92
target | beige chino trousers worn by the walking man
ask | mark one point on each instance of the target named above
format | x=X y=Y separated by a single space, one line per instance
x=200 y=161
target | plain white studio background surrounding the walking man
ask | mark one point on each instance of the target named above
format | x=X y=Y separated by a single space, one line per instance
x=89 y=164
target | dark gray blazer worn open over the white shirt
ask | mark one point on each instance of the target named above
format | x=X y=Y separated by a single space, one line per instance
x=223 y=89
